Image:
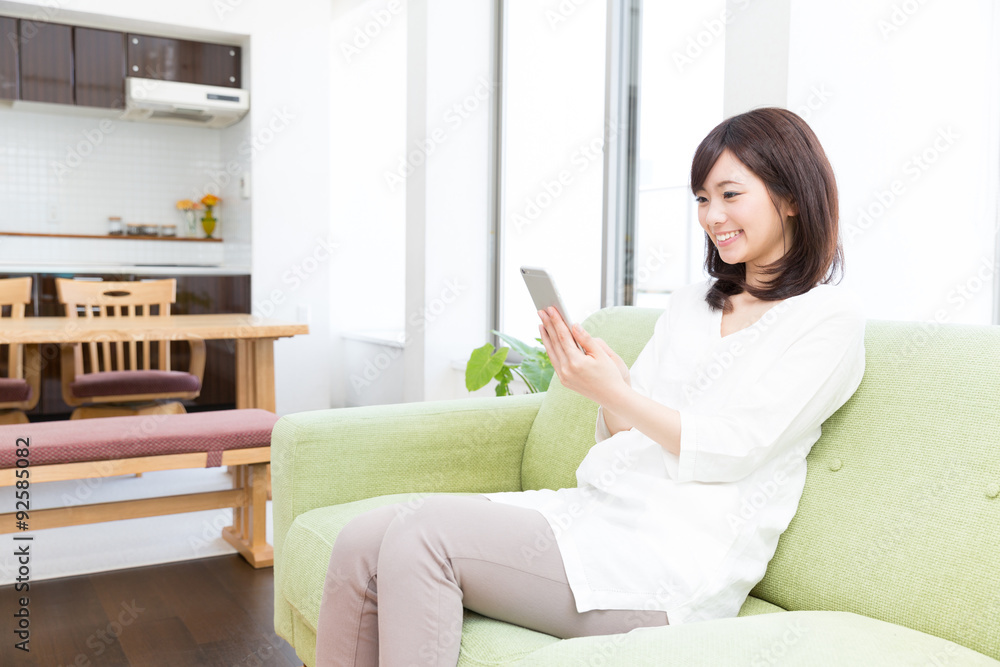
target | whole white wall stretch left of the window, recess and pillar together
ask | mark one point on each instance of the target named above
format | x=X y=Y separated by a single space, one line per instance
x=411 y=150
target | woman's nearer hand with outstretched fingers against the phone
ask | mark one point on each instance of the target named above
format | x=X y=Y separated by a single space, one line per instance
x=595 y=372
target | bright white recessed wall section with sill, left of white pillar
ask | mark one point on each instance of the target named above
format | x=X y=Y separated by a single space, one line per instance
x=368 y=199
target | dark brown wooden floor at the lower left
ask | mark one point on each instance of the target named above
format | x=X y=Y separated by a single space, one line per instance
x=213 y=611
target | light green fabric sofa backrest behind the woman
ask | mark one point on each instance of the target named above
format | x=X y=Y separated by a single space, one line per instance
x=900 y=517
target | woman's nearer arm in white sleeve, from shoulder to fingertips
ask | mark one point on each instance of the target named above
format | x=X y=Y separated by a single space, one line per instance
x=809 y=381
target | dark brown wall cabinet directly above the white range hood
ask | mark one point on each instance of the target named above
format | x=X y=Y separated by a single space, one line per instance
x=183 y=60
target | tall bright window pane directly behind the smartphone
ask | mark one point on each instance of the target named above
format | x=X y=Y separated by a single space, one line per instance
x=552 y=160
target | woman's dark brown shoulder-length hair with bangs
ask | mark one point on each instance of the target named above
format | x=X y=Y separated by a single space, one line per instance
x=781 y=150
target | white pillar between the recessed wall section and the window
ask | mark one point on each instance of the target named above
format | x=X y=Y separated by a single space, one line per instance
x=452 y=309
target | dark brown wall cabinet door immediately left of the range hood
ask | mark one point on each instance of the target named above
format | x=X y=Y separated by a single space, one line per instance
x=99 y=70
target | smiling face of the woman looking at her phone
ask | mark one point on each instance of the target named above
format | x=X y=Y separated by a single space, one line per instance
x=733 y=199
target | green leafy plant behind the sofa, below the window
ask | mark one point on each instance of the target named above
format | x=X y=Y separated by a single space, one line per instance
x=487 y=364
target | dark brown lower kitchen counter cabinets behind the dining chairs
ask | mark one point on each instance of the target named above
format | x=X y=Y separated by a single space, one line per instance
x=196 y=295
